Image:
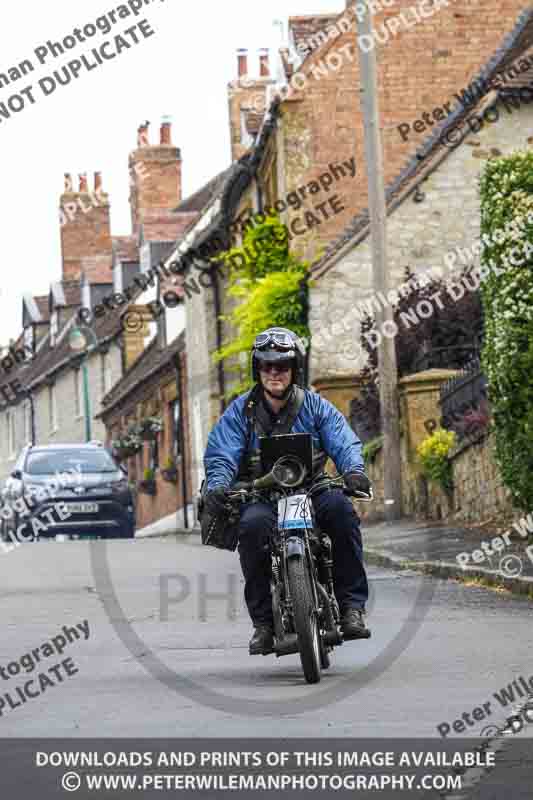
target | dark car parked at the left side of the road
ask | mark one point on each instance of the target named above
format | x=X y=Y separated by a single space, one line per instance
x=82 y=480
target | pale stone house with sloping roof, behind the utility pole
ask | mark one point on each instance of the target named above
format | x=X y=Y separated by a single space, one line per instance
x=433 y=213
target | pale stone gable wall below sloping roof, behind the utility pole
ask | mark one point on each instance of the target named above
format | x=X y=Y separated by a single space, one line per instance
x=419 y=235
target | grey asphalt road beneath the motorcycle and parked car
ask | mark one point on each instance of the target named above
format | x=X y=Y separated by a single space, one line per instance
x=164 y=659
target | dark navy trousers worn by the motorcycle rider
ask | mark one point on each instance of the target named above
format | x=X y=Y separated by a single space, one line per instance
x=336 y=517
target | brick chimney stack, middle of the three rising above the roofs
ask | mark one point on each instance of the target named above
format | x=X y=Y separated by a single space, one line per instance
x=155 y=175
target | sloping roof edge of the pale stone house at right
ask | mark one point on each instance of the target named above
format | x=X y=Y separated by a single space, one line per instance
x=434 y=150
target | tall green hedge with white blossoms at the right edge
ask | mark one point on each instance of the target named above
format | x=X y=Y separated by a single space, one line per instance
x=507 y=293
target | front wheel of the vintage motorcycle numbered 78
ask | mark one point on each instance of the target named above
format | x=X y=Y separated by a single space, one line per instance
x=305 y=618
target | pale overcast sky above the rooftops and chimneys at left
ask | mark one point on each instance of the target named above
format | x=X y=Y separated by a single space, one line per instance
x=90 y=125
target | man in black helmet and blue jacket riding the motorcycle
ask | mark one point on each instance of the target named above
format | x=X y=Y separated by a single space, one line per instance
x=280 y=403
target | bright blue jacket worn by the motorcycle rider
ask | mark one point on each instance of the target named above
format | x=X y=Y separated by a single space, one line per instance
x=330 y=431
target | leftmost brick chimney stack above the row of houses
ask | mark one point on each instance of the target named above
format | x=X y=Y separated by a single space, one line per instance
x=85 y=228
